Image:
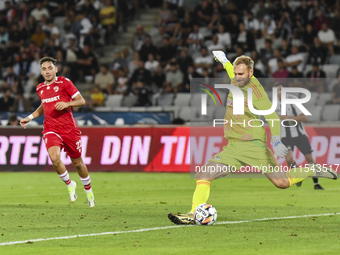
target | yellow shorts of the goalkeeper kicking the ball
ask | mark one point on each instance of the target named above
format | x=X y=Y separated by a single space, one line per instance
x=246 y=155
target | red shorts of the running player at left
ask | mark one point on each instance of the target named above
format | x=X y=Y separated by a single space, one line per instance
x=70 y=142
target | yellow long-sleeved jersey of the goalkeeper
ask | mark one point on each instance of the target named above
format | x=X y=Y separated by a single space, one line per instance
x=248 y=127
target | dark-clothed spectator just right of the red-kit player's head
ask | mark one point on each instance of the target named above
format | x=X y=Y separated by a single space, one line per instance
x=87 y=63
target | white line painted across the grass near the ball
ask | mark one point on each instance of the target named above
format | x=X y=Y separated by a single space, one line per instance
x=160 y=228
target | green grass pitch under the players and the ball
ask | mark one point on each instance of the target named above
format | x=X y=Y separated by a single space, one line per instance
x=36 y=205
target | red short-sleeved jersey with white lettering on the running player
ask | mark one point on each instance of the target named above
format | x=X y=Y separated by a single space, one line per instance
x=61 y=90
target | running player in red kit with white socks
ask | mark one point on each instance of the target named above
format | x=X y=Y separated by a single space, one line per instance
x=58 y=95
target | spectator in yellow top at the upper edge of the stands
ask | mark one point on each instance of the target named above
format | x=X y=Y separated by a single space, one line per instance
x=108 y=15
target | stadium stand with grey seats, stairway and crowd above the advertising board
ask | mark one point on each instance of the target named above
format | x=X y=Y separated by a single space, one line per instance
x=76 y=32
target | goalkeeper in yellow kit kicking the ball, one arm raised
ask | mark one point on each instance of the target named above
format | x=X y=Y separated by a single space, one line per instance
x=247 y=145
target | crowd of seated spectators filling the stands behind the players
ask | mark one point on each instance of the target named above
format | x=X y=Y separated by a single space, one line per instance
x=282 y=37
